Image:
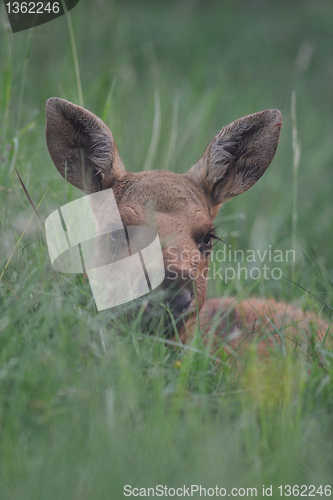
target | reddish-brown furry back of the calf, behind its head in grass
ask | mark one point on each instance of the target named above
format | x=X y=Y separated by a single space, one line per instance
x=265 y=321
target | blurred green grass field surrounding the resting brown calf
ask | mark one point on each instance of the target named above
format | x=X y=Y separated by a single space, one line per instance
x=88 y=406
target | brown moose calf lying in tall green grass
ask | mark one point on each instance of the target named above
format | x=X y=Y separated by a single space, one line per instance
x=182 y=208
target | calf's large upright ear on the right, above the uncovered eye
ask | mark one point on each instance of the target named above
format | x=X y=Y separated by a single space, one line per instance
x=238 y=156
